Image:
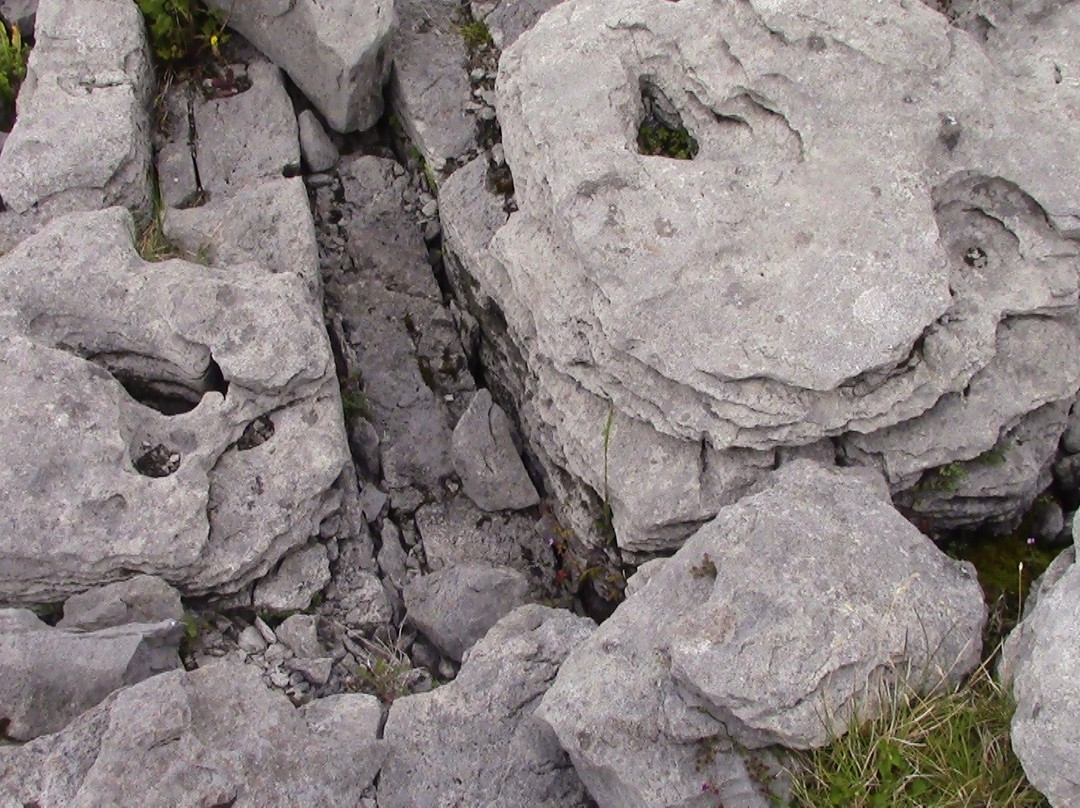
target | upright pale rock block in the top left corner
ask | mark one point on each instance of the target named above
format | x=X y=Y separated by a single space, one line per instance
x=82 y=140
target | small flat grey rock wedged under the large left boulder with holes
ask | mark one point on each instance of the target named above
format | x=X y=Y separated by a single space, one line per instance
x=144 y=599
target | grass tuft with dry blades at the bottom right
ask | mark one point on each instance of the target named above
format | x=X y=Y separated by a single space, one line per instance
x=949 y=749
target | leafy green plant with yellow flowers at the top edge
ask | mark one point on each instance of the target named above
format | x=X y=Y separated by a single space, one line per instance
x=183 y=32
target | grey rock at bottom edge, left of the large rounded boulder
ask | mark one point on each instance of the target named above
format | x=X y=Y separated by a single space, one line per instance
x=475 y=742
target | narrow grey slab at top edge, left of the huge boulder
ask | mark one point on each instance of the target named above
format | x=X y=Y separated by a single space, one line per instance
x=430 y=85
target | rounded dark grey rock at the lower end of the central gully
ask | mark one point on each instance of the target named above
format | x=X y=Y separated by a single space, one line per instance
x=457 y=605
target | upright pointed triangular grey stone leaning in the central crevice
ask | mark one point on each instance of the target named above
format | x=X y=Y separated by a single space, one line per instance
x=487 y=460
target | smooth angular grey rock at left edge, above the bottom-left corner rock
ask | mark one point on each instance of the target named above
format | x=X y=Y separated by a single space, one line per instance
x=49 y=677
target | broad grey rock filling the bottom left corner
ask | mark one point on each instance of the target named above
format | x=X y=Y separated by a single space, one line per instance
x=215 y=736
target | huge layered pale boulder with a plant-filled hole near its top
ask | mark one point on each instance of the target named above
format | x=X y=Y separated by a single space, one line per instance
x=861 y=240
